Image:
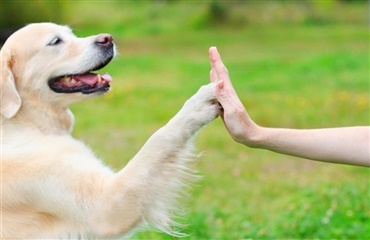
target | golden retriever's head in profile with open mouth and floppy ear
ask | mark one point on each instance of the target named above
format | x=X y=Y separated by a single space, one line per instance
x=48 y=61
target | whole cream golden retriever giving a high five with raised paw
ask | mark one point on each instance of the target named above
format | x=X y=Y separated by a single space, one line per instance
x=52 y=185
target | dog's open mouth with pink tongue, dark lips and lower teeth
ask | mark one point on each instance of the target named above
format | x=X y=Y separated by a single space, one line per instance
x=85 y=83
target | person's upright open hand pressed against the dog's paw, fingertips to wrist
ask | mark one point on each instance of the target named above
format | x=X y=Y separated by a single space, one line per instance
x=236 y=119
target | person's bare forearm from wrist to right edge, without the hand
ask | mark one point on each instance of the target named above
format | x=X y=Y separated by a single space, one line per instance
x=349 y=145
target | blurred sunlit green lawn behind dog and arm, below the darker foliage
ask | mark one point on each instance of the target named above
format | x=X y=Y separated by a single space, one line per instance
x=299 y=76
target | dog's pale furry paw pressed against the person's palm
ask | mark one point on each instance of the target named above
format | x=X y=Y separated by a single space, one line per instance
x=203 y=106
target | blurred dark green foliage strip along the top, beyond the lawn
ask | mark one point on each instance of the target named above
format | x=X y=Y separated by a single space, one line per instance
x=154 y=17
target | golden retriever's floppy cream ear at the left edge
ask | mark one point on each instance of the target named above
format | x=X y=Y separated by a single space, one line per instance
x=10 y=101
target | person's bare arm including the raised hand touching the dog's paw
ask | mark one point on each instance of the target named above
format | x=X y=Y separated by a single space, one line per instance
x=347 y=145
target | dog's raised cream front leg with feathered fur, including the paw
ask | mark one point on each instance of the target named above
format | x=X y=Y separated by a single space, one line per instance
x=145 y=191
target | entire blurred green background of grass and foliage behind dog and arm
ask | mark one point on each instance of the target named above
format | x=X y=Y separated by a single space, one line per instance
x=295 y=64
